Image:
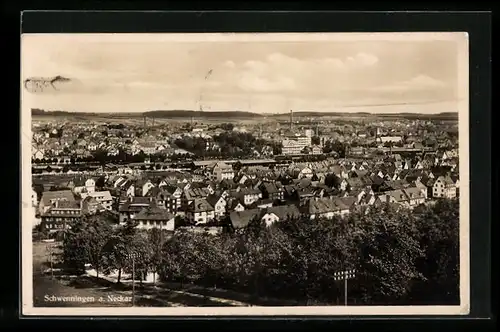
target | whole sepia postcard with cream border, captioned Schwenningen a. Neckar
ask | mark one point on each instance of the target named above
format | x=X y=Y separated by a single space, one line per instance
x=245 y=174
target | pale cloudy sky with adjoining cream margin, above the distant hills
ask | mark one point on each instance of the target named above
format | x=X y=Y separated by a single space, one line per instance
x=112 y=73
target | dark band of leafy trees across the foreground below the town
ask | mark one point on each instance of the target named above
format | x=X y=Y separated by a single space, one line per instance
x=400 y=257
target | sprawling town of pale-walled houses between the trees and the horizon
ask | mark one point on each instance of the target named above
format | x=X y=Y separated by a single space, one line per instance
x=182 y=173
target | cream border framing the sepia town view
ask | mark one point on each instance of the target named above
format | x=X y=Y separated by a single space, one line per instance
x=461 y=38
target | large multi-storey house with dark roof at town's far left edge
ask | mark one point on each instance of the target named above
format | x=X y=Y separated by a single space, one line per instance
x=61 y=214
